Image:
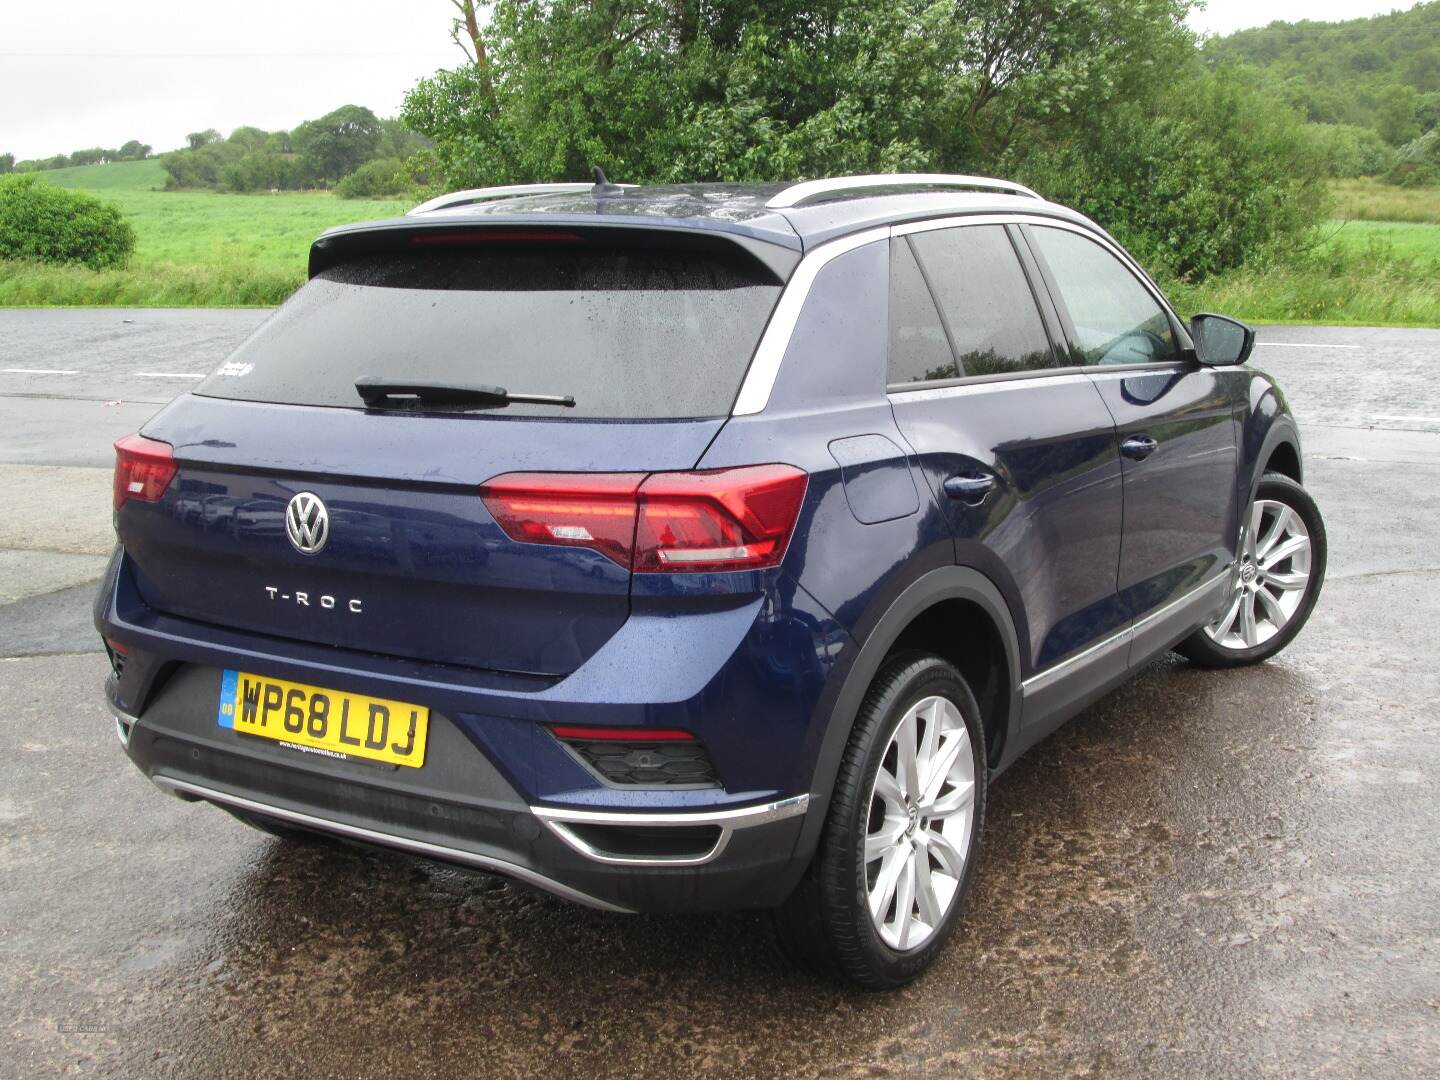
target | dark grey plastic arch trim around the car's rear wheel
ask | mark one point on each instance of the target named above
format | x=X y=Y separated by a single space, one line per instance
x=842 y=702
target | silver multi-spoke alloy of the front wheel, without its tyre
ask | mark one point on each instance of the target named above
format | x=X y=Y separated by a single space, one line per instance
x=1271 y=580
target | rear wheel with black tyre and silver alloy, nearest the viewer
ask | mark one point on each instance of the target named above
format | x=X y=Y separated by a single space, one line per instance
x=918 y=824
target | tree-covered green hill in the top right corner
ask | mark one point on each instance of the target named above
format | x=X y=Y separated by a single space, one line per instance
x=1380 y=74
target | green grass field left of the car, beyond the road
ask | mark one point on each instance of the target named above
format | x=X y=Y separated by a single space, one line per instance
x=192 y=248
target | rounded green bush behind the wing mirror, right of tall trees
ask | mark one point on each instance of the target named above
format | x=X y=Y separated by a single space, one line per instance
x=1213 y=174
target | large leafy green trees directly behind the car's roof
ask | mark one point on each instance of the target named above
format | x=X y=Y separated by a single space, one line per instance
x=667 y=90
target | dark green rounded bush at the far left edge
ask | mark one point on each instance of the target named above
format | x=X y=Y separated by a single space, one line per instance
x=48 y=224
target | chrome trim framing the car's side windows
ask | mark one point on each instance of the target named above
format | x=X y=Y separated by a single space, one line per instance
x=765 y=368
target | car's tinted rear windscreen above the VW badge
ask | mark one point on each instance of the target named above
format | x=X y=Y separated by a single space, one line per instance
x=630 y=335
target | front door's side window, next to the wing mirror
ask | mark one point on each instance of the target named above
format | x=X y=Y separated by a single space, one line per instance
x=1115 y=318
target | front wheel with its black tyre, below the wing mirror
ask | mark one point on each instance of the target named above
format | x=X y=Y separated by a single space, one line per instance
x=1277 y=584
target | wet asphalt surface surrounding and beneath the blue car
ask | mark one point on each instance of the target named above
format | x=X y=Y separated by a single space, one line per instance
x=1205 y=875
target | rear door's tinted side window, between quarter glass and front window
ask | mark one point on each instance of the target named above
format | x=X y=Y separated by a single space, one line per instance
x=986 y=299
